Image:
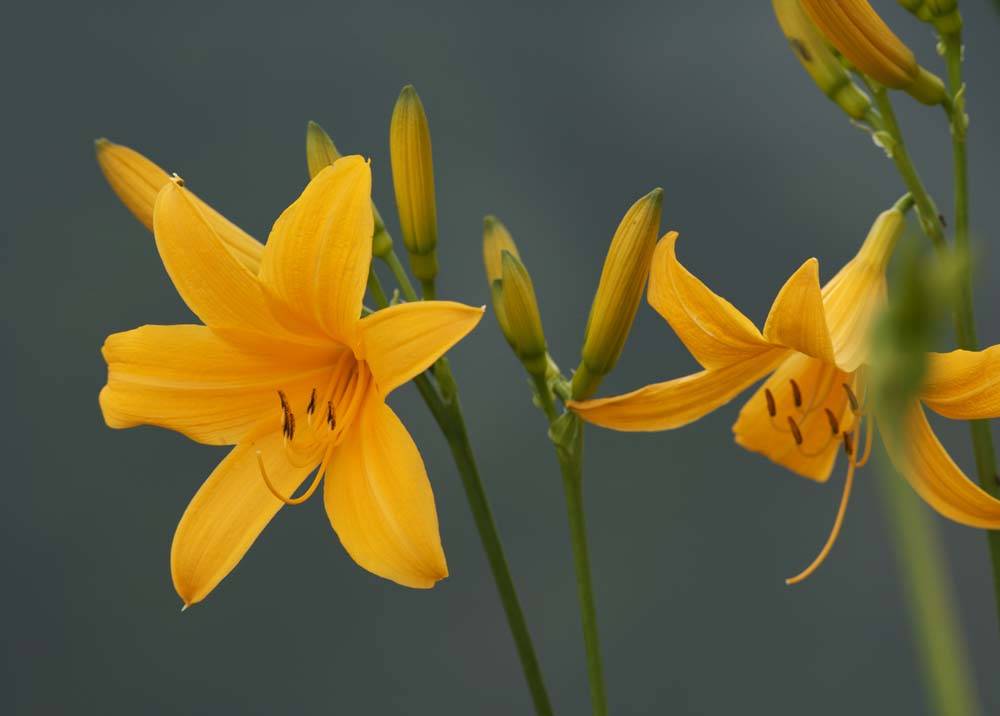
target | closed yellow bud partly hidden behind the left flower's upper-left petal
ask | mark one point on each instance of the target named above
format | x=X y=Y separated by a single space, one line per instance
x=137 y=182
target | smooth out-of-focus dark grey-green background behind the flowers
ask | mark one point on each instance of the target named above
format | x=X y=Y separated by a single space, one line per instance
x=556 y=119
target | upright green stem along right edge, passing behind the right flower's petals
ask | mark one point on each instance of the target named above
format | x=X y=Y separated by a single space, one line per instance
x=965 y=322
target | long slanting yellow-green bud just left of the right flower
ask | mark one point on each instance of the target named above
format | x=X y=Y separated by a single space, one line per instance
x=626 y=269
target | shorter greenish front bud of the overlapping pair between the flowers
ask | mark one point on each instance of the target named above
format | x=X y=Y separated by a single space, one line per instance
x=521 y=314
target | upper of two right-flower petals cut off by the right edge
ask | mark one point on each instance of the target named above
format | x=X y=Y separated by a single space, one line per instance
x=964 y=385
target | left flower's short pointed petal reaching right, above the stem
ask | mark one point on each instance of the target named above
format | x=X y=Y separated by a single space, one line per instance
x=402 y=341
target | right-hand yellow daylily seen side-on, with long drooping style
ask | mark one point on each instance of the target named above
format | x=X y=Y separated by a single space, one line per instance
x=815 y=347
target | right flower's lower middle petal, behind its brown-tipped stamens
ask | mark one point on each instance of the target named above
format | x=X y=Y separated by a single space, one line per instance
x=817 y=387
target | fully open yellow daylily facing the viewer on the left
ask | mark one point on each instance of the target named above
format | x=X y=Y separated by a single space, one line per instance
x=286 y=369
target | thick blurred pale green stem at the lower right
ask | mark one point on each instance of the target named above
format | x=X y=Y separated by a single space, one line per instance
x=926 y=590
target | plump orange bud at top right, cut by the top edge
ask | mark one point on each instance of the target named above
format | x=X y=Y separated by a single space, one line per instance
x=856 y=30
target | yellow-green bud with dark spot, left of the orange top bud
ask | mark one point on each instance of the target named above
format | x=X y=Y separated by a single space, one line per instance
x=816 y=57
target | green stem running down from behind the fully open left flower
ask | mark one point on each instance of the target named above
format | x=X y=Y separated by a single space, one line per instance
x=447 y=412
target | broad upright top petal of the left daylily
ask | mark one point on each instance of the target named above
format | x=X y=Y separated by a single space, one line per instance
x=319 y=252
